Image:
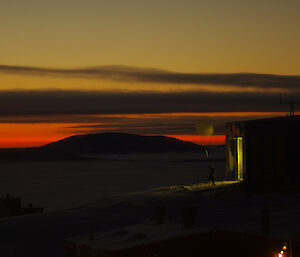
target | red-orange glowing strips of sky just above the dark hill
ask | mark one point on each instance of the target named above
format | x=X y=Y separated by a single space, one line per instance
x=22 y=134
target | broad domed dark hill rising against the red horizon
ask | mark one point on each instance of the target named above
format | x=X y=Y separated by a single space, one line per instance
x=120 y=143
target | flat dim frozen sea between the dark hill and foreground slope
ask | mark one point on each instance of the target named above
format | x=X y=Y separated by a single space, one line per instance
x=63 y=185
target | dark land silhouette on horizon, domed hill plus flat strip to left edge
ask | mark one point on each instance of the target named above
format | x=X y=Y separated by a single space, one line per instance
x=75 y=147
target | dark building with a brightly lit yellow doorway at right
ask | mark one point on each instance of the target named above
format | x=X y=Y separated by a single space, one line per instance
x=264 y=151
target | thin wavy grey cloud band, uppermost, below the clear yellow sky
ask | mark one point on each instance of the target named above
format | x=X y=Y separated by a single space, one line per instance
x=147 y=75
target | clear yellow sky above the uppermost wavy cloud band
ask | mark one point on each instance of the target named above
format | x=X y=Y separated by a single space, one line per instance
x=258 y=36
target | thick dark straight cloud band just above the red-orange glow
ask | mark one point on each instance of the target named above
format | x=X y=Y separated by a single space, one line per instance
x=20 y=103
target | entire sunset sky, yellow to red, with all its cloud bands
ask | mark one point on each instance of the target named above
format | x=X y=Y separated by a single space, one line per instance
x=145 y=67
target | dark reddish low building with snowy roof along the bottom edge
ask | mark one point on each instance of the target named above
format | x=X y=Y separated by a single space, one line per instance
x=126 y=243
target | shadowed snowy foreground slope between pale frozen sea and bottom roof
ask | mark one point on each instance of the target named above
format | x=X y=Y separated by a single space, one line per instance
x=42 y=235
